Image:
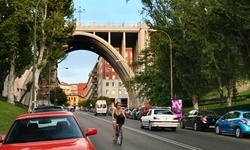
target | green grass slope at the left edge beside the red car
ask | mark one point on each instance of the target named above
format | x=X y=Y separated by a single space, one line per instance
x=8 y=113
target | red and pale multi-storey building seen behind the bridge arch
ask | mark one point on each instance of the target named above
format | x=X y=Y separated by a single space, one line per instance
x=108 y=82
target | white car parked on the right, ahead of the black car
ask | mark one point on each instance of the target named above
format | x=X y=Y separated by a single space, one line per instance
x=159 y=118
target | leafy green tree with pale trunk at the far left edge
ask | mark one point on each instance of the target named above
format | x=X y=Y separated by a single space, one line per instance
x=14 y=25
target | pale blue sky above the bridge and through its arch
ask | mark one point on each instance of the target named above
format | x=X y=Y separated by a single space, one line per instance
x=81 y=62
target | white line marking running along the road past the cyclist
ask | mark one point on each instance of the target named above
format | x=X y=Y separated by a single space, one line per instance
x=153 y=136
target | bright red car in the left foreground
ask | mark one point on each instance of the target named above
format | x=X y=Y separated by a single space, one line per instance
x=47 y=130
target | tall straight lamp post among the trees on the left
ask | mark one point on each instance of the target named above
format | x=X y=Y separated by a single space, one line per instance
x=34 y=59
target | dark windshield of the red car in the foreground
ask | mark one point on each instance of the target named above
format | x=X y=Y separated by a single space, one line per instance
x=43 y=129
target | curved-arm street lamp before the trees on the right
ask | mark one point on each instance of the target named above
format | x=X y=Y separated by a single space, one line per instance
x=171 y=58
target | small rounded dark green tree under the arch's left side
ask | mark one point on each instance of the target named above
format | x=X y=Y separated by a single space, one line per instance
x=58 y=97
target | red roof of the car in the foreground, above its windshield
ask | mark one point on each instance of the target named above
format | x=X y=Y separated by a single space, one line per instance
x=45 y=114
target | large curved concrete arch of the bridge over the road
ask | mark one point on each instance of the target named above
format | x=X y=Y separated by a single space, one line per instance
x=81 y=40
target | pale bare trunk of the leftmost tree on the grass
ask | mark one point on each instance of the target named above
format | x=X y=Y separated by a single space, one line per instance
x=11 y=80
